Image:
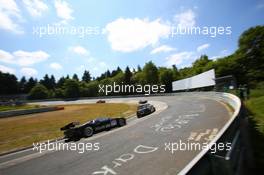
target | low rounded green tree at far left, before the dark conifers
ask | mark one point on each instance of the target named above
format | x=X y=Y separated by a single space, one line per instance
x=38 y=92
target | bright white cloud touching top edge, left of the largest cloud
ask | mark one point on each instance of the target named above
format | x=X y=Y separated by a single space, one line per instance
x=63 y=10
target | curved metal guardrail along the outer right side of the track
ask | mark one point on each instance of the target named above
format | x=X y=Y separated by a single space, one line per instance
x=238 y=160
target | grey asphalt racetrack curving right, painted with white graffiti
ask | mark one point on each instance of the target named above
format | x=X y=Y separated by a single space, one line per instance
x=149 y=145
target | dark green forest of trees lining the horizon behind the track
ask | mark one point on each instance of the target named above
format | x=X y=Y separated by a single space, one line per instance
x=246 y=64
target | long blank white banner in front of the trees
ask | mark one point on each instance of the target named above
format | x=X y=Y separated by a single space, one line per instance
x=201 y=80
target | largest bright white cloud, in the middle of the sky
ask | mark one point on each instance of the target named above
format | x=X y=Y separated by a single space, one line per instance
x=127 y=35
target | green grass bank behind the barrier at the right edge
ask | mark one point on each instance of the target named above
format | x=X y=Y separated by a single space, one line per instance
x=255 y=106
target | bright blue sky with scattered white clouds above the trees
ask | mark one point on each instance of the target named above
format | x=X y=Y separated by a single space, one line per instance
x=61 y=37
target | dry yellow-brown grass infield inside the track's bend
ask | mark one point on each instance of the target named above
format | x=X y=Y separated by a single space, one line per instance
x=21 y=131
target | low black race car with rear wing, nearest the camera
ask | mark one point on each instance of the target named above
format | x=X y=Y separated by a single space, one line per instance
x=73 y=131
